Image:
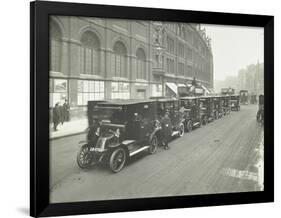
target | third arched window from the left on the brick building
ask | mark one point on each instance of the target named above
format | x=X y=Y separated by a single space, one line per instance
x=119 y=60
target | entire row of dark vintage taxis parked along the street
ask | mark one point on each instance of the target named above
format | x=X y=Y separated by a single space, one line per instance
x=120 y=129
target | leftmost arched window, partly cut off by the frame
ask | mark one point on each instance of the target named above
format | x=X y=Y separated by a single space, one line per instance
x=55 y=47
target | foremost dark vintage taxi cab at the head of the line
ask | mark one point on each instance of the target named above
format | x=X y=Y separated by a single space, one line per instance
x=117 y=131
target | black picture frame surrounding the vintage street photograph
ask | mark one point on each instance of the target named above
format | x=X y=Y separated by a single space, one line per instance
x=39 y=108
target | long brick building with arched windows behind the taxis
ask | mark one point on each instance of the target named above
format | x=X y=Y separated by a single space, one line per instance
x=97 y=59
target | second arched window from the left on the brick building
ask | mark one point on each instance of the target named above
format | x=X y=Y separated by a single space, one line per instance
x=90 y=53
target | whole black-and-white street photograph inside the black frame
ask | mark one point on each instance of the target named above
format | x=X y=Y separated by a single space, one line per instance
x=142 y=109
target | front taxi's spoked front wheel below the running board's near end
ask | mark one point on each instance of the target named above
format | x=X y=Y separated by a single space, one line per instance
x=117 y=160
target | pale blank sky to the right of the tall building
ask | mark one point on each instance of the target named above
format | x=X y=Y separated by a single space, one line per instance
x=234 y=47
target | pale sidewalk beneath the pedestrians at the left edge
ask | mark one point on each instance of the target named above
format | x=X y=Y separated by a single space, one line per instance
x=69 y=128
